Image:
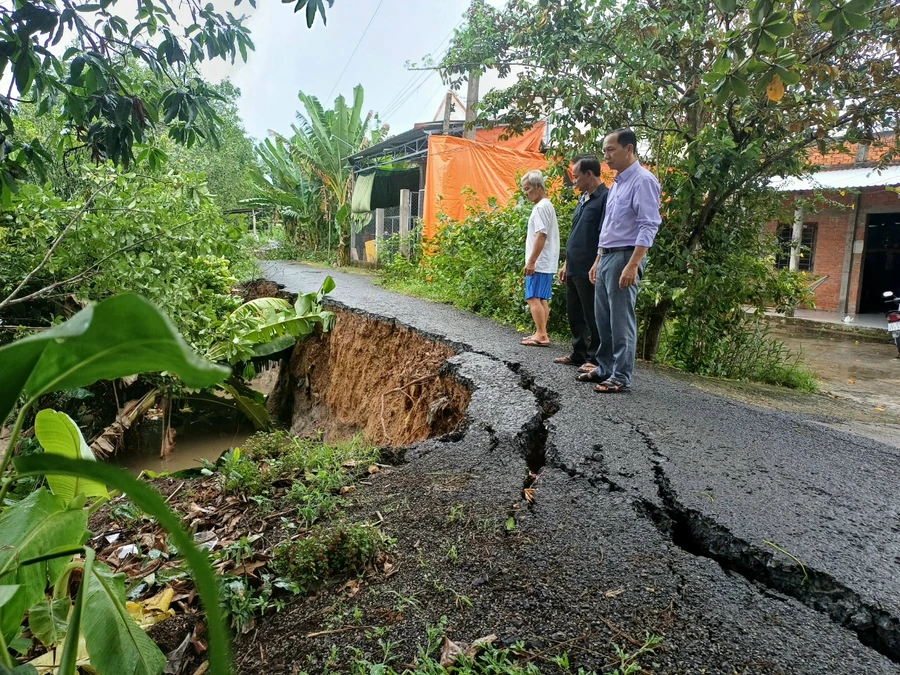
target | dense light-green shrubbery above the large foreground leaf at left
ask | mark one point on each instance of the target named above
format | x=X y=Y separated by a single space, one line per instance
x=161 y=236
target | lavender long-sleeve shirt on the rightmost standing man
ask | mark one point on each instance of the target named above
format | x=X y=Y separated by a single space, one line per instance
x=632 y=210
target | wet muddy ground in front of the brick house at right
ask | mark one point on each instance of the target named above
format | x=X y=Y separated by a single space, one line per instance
x=867 y=372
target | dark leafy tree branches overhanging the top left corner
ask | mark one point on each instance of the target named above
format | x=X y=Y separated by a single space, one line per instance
x=103 y=105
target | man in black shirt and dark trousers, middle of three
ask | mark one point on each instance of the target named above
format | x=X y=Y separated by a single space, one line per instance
x=581 y=251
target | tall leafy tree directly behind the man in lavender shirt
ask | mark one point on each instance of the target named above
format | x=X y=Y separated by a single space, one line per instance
x=726 y=94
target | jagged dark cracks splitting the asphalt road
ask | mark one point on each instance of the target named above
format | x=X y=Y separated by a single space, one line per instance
x=688 y=529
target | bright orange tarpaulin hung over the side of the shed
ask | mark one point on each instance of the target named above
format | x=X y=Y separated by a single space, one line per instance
x=490 y=170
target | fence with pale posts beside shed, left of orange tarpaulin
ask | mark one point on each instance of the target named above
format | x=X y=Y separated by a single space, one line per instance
x=402 y=221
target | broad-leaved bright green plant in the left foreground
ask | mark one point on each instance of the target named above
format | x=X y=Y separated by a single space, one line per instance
x=43 y=537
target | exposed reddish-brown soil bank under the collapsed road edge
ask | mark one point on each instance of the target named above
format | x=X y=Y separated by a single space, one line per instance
x=374 y=376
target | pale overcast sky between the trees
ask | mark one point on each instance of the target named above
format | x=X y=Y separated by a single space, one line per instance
x=290 y=57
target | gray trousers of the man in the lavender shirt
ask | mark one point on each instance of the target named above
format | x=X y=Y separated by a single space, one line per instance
x=616 y=320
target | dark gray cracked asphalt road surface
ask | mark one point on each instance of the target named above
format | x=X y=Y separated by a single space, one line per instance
x=756 y=513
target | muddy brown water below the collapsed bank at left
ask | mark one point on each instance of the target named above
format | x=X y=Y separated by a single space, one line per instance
x=191 y=447
